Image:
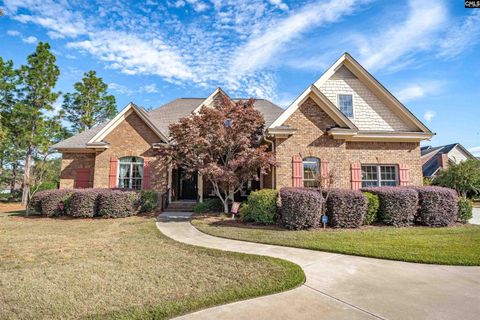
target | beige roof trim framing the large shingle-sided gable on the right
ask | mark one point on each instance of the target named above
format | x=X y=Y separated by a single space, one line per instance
x=347 y=61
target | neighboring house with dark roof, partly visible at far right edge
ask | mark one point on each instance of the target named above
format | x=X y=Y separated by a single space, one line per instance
x=436 y=158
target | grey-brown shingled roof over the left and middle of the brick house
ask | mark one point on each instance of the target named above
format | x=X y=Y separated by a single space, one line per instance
x=160 y=118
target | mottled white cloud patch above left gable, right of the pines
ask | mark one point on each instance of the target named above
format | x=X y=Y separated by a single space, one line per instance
x=132 y=55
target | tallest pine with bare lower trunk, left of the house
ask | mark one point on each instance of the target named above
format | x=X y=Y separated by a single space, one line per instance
x=39 y=78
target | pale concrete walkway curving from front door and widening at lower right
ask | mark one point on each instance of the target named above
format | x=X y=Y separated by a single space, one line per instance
x=344 y=287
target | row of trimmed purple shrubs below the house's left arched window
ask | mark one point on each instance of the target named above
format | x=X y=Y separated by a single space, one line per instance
x=89 y=203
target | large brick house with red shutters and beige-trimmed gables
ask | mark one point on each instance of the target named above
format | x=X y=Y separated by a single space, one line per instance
x=346 y=124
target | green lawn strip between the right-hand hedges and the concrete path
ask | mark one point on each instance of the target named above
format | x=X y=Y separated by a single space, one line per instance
x=459 y=245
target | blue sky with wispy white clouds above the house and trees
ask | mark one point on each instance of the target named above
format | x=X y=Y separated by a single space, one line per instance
x=425 y=52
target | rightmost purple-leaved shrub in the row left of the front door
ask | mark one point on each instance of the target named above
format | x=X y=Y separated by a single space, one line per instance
x=118 y=203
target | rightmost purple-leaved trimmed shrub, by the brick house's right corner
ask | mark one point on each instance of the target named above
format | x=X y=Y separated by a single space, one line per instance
x=437 y=206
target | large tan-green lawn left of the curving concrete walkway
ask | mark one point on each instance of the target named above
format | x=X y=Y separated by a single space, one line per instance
x=122 y=269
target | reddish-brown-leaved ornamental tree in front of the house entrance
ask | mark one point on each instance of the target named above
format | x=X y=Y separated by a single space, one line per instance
x=223 y=143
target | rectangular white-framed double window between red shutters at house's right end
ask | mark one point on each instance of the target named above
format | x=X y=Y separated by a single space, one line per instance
x=379 y=175
